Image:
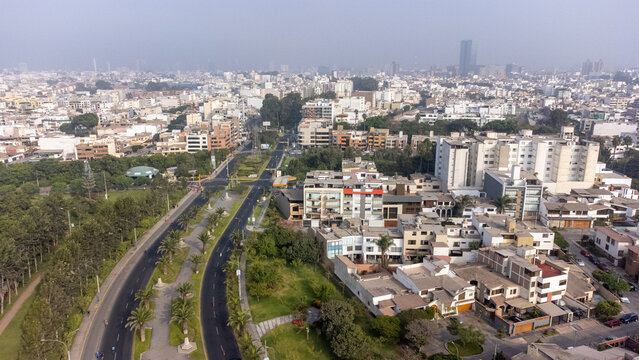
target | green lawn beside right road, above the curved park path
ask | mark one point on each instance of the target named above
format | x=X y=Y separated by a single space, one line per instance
x=295 y=288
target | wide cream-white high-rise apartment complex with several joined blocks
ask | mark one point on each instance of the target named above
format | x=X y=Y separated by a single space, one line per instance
x=561 y=163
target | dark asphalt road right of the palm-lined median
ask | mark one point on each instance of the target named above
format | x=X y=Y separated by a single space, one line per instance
x=218 y=336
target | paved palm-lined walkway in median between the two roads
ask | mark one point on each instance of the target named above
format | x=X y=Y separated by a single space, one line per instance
x=160 y=347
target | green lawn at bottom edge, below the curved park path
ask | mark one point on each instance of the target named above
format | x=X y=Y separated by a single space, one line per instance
x=288 y=342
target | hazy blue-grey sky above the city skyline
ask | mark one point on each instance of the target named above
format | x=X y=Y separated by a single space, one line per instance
x=249 y=34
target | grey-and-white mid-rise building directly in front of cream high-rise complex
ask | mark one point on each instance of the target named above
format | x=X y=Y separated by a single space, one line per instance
x=524 y=189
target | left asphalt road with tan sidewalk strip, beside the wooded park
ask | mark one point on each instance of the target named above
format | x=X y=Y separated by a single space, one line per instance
x=107 y=330
